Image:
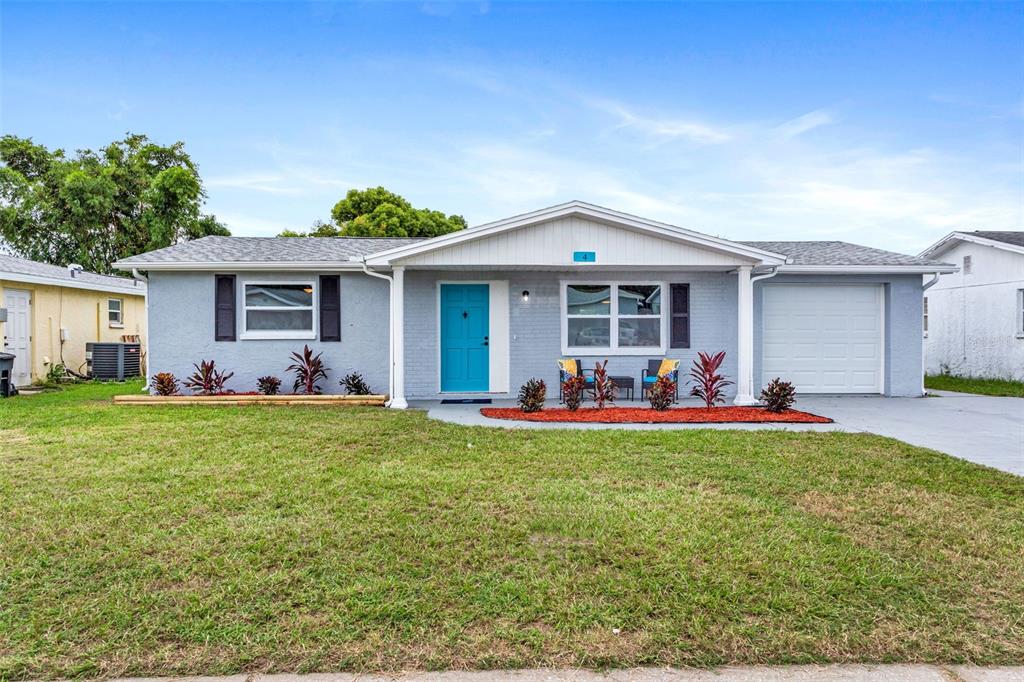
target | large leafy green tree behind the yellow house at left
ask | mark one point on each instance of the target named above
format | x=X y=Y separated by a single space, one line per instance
x=97 y=207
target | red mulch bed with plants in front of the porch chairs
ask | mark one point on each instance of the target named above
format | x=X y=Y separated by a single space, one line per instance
x=648 y=416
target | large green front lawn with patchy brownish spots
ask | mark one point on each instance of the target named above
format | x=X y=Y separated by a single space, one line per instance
x=174 y=541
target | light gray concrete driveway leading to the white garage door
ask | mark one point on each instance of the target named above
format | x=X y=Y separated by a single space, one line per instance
x=979 y=429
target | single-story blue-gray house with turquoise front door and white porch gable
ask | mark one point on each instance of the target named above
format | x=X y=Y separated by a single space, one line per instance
x=480 y=312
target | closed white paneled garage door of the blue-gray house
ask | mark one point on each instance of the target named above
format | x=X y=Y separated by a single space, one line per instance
x=825 y=339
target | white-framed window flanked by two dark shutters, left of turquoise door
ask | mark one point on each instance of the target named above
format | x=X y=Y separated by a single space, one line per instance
x=279 y=310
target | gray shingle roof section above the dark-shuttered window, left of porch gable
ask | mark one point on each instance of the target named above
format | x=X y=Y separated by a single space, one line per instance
x=268 y=249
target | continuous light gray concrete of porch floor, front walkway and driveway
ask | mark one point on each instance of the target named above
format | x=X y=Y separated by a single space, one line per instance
x=984 y=430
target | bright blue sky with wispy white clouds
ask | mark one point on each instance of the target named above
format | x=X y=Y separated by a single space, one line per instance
x=883 y=124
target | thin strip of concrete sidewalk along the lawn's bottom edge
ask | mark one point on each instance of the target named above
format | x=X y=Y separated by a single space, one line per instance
x=843 y=673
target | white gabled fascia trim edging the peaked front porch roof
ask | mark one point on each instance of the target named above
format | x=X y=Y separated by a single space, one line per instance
x=582 y=209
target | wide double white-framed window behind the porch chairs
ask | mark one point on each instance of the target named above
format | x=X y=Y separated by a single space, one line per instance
x=621 y=318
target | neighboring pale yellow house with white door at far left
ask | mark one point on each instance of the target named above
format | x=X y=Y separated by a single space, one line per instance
x=52 y=313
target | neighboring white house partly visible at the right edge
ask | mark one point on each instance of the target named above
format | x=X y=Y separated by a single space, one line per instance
x=974 y=320
